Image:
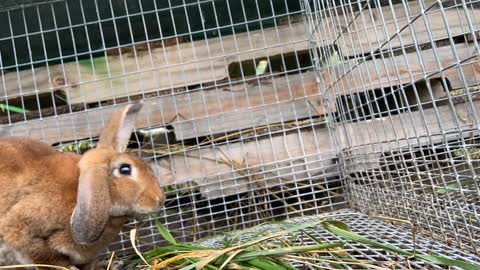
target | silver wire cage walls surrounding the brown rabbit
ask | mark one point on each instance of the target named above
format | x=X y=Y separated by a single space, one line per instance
x=260 y=110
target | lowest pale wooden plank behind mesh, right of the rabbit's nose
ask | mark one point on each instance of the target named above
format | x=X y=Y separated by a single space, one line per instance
x=275 y=160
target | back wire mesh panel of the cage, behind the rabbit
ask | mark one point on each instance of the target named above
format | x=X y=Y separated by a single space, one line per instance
x=235 y=146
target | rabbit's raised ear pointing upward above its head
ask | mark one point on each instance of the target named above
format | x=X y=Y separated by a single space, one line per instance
x=117 y=133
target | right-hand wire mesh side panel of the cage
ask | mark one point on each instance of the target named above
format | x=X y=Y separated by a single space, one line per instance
x=401 y=81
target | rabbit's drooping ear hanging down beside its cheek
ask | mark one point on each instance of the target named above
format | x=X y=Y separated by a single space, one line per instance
x=92 y=211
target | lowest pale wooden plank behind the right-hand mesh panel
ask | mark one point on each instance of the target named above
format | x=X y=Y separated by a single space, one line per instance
x=382 y=134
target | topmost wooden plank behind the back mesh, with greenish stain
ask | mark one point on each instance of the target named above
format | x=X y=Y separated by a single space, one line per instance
x=157 y=68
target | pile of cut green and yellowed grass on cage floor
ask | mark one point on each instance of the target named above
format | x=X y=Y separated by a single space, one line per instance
x=278 y=246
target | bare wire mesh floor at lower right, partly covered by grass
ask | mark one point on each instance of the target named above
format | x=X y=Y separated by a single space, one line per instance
x=377 y=230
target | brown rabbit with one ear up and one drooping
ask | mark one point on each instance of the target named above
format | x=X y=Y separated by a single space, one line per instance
x=64 y=209
